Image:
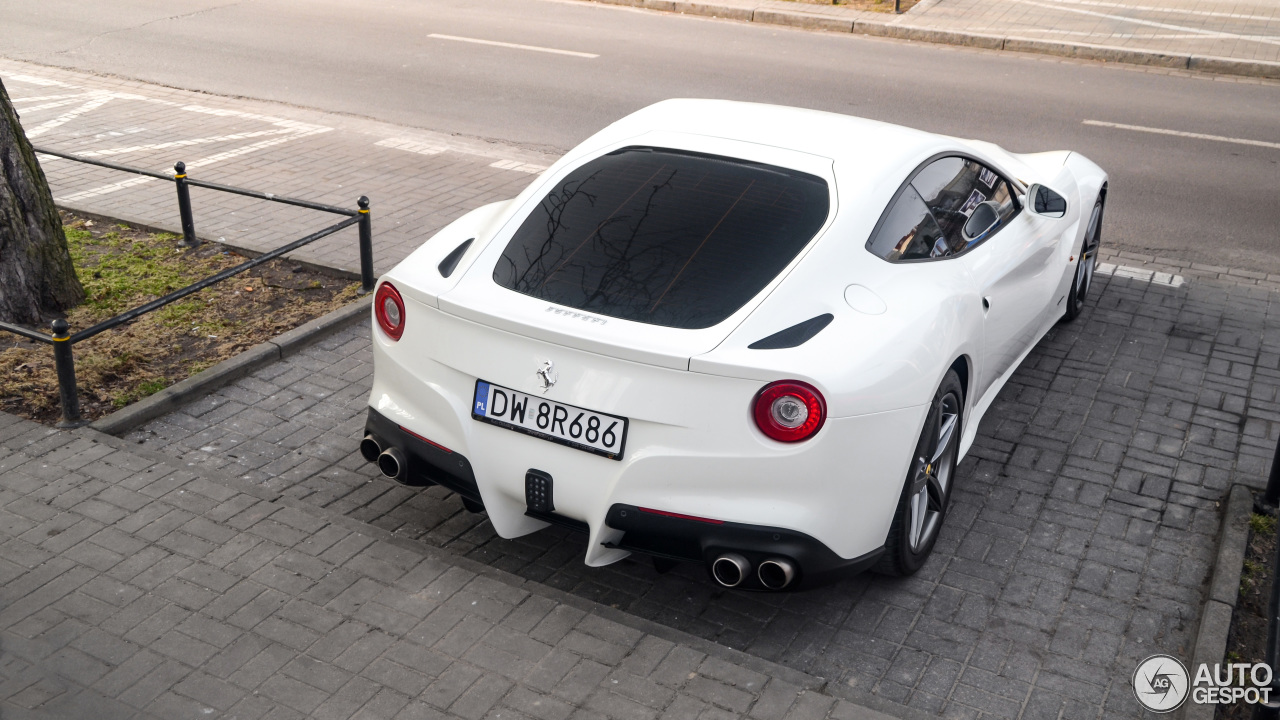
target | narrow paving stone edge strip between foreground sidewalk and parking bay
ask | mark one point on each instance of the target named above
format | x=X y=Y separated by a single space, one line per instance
x=872 y=708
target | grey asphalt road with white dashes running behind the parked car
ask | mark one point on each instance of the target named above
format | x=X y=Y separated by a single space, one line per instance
x=1206 y=200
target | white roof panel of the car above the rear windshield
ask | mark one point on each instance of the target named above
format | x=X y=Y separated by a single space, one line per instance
x=870 y=148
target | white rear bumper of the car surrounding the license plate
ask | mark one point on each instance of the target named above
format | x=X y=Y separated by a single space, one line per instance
x=692 y=446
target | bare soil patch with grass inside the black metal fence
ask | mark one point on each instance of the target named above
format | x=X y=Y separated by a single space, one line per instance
x=122 y=268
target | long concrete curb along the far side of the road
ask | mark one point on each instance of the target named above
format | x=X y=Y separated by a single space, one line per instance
x=857 y=25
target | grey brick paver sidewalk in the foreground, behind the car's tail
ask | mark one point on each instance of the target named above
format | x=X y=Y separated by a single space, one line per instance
x=130 y=589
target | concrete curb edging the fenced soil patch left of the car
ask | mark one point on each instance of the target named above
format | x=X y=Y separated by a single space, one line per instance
x=231 y=370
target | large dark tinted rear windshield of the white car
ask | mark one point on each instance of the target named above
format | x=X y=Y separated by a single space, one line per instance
x=664 y=238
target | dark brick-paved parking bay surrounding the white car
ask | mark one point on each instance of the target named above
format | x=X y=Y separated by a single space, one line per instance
x=1081 y=535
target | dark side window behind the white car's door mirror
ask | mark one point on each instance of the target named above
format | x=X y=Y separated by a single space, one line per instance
x=950 y=190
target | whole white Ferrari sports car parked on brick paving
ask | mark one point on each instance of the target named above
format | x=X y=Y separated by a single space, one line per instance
x=748 y=336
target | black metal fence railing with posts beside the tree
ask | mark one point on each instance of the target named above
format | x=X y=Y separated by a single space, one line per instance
x=63 y=340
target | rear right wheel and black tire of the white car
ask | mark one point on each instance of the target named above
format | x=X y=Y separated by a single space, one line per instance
x=907 y=552
